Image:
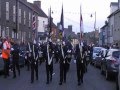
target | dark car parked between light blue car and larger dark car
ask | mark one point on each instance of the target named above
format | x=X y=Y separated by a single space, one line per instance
x=101 y=55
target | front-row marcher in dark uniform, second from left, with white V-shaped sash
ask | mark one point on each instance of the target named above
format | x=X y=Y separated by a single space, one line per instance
x=49 y=62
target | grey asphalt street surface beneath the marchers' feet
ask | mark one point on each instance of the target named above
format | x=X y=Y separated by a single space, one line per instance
x=93 y=80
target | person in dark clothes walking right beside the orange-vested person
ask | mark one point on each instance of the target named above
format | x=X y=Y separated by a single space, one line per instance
x=15 y=58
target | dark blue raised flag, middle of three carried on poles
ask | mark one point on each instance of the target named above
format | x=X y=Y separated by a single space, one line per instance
x=61 y=26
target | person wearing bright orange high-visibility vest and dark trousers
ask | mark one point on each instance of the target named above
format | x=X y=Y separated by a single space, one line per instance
x=6 y=56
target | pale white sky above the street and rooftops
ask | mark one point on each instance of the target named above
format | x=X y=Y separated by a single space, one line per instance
x=72 y=12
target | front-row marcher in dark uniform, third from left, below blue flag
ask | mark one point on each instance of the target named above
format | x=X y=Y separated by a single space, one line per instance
x=63 y=62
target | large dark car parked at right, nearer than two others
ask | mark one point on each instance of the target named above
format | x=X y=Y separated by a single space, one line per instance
x=109 y=65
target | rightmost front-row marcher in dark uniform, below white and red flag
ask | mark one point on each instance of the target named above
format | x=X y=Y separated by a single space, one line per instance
x=79 y=63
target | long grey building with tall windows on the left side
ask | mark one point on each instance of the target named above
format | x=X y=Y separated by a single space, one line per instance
x=16 y=20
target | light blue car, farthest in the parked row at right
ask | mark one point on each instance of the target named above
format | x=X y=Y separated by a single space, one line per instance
x=96 y=51
